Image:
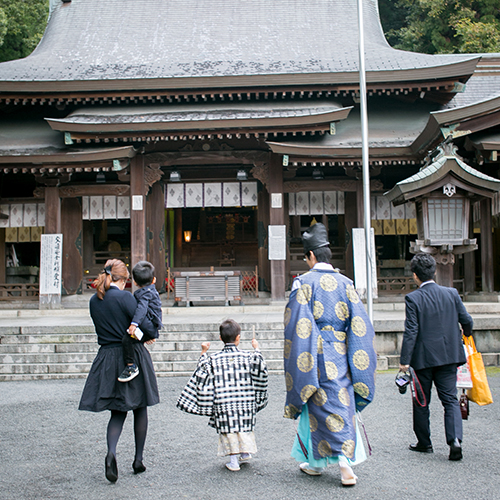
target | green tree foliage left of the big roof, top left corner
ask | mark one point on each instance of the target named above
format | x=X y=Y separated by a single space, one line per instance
x=22 y=23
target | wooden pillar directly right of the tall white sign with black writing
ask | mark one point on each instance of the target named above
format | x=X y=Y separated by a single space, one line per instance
x=72 y=262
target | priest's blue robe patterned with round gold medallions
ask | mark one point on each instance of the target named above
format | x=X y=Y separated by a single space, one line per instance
x=329 y=359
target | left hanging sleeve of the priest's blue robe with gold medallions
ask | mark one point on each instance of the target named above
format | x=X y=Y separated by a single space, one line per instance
x=300 y=354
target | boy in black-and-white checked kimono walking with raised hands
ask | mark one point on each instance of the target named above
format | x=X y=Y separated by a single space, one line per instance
x=230 y=386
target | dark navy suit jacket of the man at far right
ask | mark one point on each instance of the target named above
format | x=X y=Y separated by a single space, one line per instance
x=432 y=336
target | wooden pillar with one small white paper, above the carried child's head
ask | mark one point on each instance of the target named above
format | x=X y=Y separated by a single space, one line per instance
x=138 y=212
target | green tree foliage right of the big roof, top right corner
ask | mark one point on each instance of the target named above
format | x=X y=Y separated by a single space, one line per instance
x=442 y=26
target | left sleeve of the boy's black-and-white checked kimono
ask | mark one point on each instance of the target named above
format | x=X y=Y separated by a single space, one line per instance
x=198 y=395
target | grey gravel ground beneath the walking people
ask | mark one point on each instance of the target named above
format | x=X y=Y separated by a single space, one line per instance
x=50 y=450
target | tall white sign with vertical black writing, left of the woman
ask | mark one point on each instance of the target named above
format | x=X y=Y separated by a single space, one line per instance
x=51 y=264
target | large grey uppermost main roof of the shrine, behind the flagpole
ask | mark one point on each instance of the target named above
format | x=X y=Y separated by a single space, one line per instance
x=167 y=41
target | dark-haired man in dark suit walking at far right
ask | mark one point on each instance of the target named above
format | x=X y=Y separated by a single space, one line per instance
x=432 y=346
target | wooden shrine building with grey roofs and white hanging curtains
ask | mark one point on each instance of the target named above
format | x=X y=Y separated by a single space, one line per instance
x=183 y=133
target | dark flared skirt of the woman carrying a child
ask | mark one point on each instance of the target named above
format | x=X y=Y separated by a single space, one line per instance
x=102 y=390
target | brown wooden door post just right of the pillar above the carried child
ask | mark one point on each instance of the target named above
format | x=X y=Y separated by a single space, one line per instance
x=155 y=216
